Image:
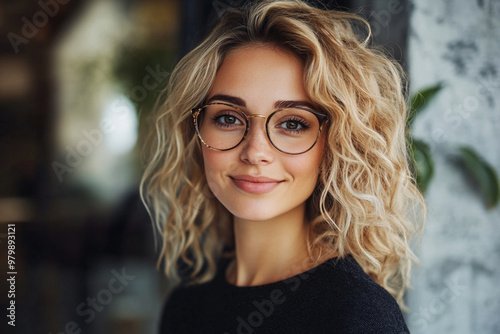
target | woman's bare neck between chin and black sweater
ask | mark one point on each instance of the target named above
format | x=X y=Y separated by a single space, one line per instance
x=269 y=251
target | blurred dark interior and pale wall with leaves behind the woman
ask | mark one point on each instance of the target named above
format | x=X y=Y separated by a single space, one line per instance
x=78 y=80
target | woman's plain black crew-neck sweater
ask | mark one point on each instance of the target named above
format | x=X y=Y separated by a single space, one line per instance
x=335 y=297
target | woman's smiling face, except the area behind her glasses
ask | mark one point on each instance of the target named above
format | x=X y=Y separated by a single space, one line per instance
x=254 y=180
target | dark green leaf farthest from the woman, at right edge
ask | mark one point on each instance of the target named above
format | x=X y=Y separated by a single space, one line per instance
x=483 y=174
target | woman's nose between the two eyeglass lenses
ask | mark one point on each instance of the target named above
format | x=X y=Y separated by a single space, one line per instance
x=256 y=148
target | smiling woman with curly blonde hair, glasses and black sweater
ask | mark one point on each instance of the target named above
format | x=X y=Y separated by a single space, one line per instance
x=280 y=178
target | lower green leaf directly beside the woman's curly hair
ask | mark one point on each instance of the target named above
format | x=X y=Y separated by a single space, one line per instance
x=422 y=163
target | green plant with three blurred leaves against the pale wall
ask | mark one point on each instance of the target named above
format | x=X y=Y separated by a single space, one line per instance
x=475 y=167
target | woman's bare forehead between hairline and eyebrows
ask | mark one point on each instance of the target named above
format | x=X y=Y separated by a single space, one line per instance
x=260 y=75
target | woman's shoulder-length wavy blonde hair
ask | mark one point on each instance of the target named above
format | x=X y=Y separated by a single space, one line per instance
x=365 y=204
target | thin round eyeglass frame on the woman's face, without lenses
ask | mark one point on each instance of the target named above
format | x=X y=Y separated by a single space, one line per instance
x=322 y=118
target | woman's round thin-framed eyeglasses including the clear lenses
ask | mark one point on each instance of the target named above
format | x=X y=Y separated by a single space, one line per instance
x=223 y=126
